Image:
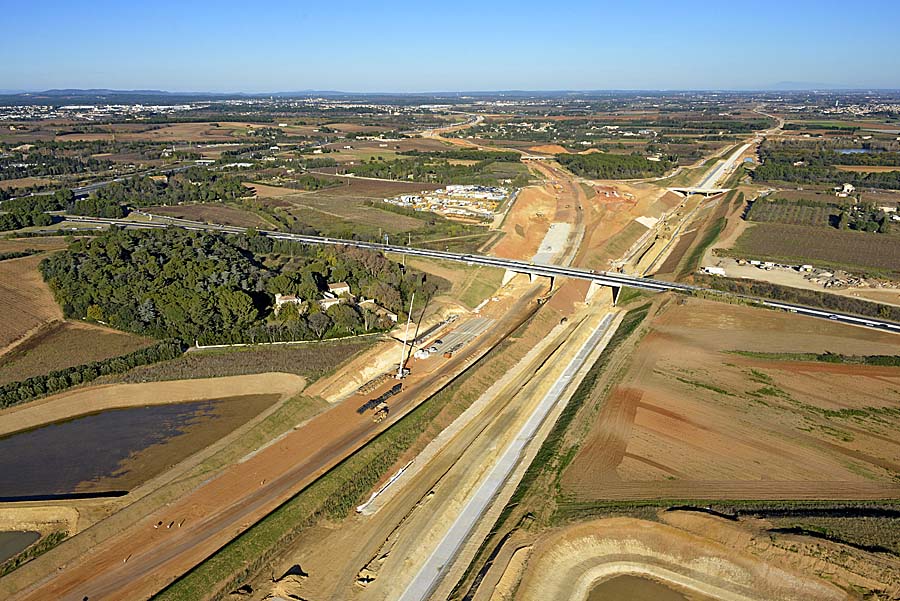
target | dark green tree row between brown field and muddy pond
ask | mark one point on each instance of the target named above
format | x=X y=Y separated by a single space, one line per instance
x=56 y=381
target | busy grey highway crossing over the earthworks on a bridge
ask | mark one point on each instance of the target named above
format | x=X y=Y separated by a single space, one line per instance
x=603 y=278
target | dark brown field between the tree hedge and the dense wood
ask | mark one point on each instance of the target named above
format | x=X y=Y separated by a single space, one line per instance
x=66 y=344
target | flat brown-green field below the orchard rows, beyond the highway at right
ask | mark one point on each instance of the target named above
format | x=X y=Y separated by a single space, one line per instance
x=805 y=244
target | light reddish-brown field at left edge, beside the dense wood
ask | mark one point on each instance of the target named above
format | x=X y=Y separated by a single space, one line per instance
x=26 y=302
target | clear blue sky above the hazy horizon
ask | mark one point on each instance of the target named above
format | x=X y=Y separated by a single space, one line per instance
x=447 y=46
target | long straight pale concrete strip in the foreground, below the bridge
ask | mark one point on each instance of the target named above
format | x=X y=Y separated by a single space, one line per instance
x=429 y=575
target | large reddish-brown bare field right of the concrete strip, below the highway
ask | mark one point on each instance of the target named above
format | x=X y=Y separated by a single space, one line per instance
x=689 y=417
